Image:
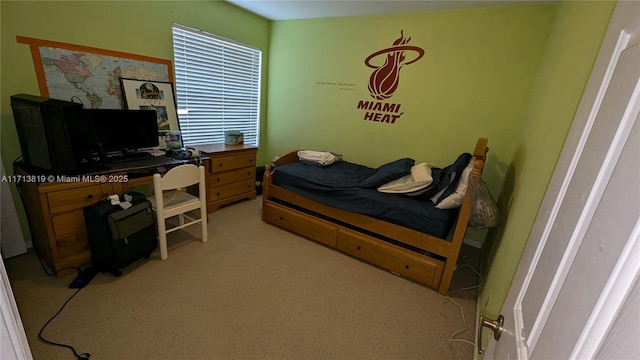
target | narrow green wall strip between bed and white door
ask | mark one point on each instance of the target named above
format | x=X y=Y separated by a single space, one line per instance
x=570 y=53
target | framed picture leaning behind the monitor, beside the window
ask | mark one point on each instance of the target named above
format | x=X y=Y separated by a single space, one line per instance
x=152 y=95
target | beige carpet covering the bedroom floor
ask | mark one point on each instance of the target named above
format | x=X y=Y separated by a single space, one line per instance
x=253 y=291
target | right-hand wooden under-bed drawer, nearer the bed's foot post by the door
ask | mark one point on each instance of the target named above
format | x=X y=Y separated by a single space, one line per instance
x=406 y=263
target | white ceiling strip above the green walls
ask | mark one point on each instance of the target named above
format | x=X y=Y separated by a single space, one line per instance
x=304 y=9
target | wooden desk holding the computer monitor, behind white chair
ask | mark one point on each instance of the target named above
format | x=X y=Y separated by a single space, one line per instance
x=54 y=205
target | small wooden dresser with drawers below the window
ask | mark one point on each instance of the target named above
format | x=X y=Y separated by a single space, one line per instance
x=232 y=174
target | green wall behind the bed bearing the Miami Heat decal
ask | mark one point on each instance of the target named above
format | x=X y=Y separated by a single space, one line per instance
x=473 y=81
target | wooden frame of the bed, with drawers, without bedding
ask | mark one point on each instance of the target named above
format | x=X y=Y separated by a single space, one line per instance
x=433 y=271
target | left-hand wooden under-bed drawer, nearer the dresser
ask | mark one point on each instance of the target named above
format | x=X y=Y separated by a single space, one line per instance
x=302 y=224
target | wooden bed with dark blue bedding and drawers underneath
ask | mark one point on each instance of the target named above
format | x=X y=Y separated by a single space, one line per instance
x=406 y=235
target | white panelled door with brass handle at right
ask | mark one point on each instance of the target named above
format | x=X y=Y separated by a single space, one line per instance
x=582 y=258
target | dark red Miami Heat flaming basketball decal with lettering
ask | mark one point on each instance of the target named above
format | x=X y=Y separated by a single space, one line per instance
x=385 y=79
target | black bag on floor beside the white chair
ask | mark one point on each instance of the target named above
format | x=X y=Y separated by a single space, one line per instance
x=117 y=236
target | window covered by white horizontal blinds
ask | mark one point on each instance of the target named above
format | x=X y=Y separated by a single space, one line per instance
x=217 y=87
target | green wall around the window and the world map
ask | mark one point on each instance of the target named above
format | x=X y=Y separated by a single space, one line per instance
x=139 y=27
